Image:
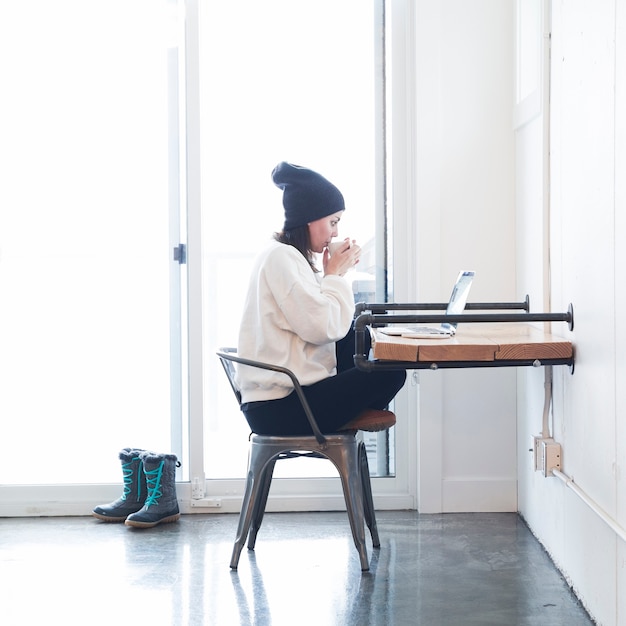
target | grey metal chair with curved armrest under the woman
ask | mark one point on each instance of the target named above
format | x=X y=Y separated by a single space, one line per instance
x=346 y=450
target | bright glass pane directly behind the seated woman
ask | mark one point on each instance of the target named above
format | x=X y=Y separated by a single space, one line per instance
x=293 y=81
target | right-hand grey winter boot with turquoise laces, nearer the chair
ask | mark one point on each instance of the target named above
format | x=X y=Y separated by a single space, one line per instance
x=161 y=505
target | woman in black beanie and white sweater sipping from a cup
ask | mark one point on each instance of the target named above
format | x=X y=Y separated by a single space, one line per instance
x=300 y=318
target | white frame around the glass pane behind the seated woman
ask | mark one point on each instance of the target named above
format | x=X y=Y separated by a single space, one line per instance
x=204 y=494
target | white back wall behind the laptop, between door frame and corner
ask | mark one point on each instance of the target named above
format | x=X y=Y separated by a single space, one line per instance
x=464 y=172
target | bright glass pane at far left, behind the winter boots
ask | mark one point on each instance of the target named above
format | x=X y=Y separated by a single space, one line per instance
x=89 y=217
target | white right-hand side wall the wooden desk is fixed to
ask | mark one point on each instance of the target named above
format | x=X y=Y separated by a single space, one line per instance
x=586 y=266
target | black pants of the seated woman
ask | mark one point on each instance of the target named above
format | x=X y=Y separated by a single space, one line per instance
x=334 y=401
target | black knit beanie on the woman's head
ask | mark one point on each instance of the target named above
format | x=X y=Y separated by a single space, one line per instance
x=307 y=196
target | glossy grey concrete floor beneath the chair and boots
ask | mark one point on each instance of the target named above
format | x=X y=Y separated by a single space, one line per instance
x=456 y=569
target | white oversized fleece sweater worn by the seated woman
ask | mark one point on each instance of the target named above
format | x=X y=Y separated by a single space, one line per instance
x=292 y=317
